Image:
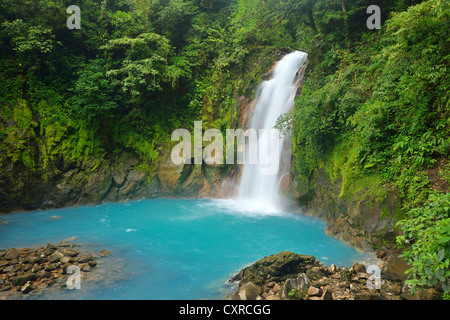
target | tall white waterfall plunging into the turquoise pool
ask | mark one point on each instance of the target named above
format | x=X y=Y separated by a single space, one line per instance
x=274 y=97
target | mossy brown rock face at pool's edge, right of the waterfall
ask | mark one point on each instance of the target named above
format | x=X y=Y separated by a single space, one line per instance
x=365 y=222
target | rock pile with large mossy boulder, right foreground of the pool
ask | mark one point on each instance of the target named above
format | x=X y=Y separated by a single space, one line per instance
x=291 y=276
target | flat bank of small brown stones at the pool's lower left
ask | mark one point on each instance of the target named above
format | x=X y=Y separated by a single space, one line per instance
x=33 y=271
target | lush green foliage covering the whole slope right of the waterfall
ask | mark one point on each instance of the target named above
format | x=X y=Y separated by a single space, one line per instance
x=375 y=108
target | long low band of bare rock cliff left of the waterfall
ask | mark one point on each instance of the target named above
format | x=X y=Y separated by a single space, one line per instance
x=118 y=179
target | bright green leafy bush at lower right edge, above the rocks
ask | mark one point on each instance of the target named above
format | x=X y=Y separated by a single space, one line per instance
x=426 y=239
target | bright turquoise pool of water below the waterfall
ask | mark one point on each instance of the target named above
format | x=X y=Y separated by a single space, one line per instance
x=173 y=249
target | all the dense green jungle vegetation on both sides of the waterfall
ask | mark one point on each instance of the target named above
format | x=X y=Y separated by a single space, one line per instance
x=374 y=108
